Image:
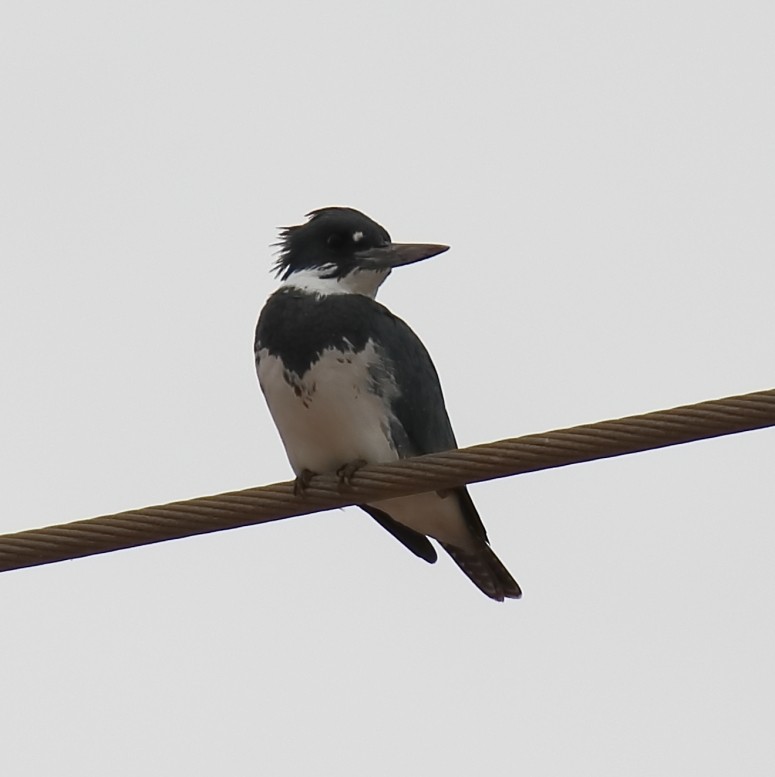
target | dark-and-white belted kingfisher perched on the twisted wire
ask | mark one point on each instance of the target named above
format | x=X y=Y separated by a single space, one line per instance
x=349 y=383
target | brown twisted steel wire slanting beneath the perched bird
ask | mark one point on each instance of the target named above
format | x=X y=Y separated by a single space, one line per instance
x=425 y=473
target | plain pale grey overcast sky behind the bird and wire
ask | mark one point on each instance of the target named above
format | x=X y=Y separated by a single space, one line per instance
x=605 y=175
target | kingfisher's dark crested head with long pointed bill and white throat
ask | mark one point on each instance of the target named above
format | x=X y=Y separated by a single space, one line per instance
x=347 y=249
